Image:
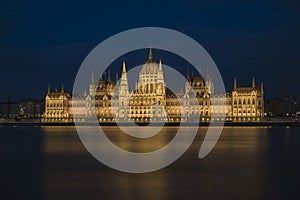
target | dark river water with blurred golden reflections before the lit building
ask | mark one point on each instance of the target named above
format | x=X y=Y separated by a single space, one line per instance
x=247 y=163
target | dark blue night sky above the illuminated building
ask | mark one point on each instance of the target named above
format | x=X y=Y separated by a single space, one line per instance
x=43 y=43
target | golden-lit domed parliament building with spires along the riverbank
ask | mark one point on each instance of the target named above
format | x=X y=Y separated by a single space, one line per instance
x=151 y=100
